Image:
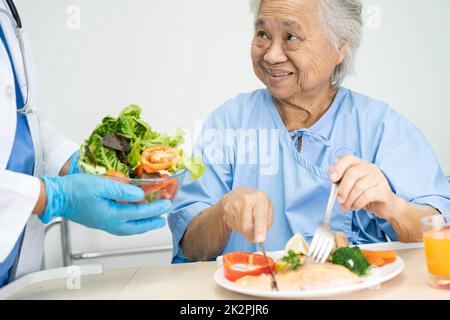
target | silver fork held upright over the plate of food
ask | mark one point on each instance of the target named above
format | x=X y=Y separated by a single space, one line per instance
x=323 y=240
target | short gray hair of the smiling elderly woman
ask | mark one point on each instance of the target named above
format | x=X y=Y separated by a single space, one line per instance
x=342 y=19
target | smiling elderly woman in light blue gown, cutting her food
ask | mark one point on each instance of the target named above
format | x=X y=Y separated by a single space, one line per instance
x=271 y=156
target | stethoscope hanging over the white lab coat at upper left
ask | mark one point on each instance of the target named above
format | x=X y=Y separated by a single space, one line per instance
x=16 y=23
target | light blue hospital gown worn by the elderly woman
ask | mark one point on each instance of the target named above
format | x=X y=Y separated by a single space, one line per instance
x=246 y=144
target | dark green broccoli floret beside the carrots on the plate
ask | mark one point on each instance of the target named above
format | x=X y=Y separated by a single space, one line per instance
x=352 y=259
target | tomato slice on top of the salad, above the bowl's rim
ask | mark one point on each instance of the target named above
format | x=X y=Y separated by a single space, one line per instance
x=159 y=158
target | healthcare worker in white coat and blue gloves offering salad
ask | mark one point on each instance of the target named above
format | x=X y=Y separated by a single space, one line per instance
x=33 y=160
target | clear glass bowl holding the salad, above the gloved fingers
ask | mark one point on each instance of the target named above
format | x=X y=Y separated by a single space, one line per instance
x=155 y=188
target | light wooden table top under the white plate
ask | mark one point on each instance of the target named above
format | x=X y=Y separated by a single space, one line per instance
x=195 y=282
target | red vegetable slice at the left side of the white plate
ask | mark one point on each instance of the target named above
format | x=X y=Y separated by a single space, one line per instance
x=240 y=264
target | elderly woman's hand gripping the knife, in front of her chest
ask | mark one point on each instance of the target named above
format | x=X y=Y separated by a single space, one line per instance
x=248 y=212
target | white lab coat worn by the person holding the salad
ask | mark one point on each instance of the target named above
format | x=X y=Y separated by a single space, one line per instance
x=19 y=192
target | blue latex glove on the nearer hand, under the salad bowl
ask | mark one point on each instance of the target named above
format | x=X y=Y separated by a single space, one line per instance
x=91 y=201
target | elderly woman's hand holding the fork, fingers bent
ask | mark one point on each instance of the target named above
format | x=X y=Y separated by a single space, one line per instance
x=362 y=185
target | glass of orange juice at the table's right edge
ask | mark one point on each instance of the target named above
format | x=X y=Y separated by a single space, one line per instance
x=437 y=250
